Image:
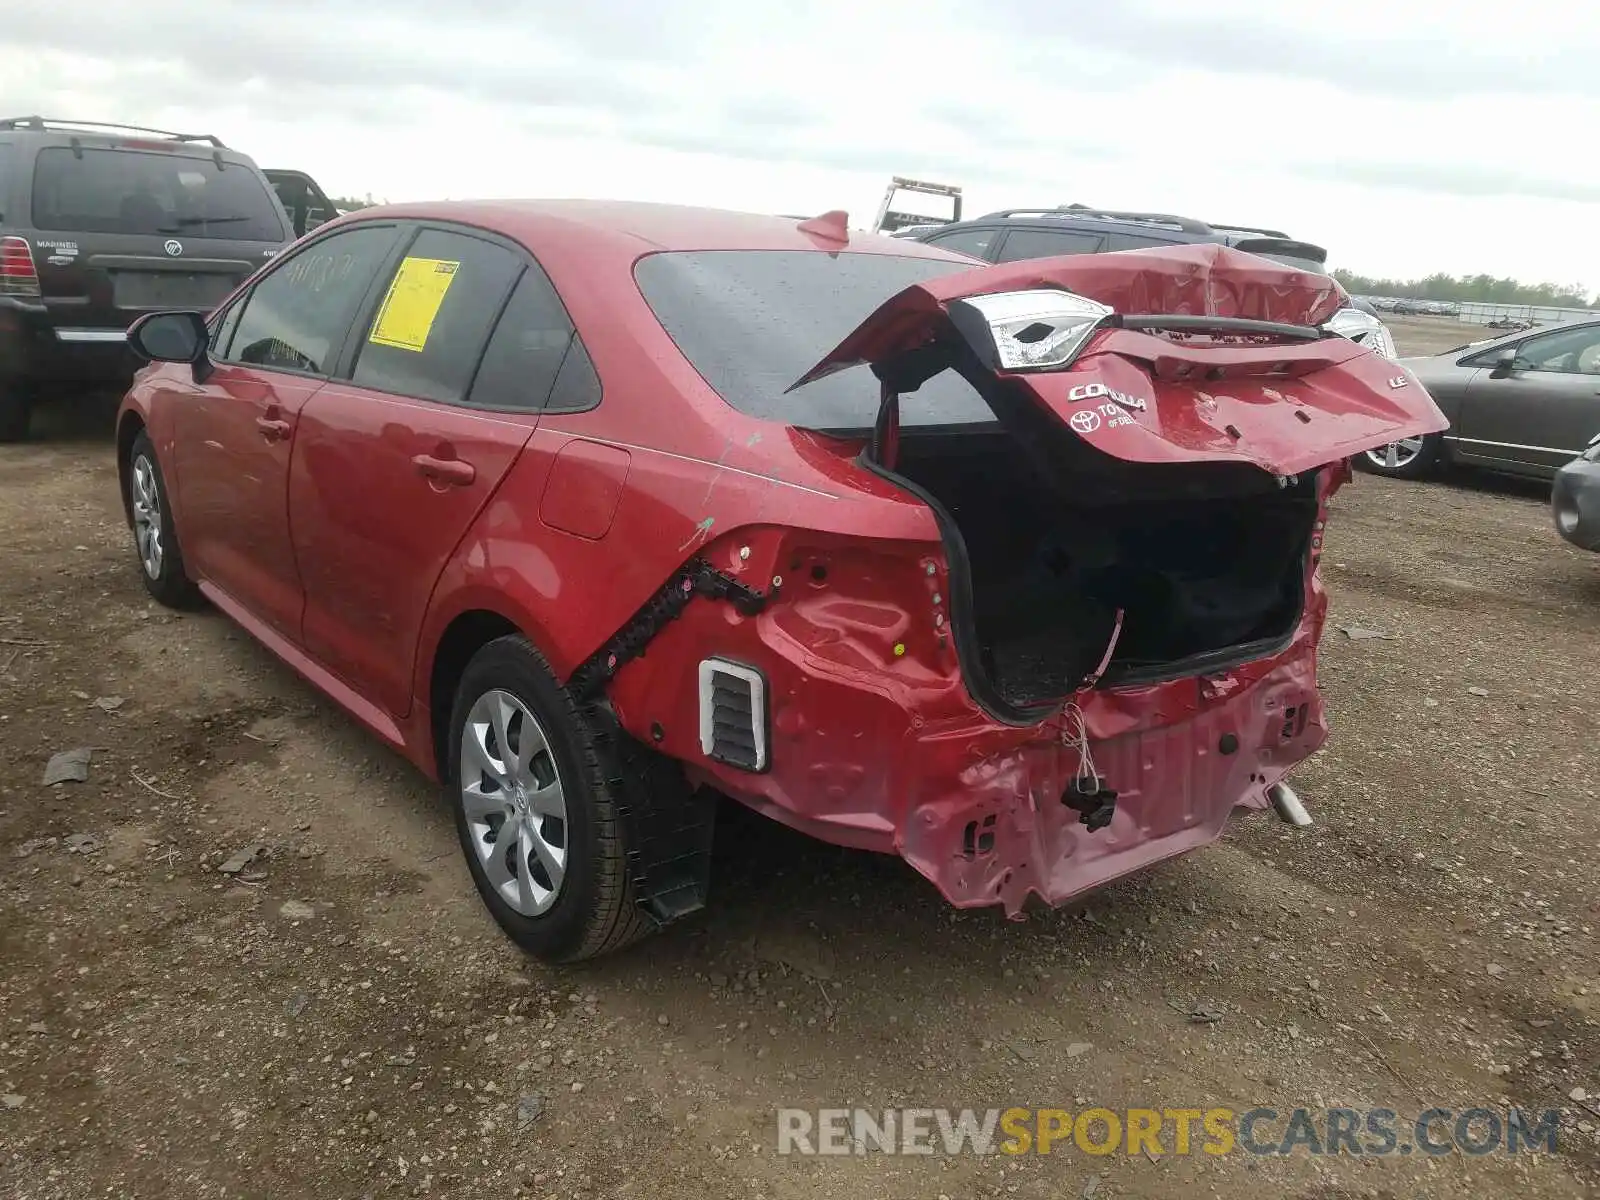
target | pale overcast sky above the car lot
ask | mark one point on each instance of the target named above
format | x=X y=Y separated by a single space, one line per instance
x=1404 y=135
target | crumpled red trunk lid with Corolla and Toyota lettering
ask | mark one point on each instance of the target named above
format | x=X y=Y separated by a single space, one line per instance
x=1236 y=367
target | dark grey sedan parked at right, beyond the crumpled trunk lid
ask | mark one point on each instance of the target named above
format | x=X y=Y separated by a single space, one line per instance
x=1526 y=404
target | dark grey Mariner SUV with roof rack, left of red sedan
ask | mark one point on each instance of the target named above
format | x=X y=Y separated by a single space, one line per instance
x=102 y=223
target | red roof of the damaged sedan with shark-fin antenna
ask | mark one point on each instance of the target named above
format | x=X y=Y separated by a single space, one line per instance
x=625 y=228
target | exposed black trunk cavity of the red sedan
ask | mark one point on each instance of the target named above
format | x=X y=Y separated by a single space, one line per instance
x=1049 y=540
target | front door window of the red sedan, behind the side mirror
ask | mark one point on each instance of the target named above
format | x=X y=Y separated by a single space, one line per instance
x=298 y=314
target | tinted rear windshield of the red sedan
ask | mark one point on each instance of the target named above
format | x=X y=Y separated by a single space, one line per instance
x=754 y=321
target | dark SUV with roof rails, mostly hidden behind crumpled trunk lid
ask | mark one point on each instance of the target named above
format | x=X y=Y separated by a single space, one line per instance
x=1076 y=230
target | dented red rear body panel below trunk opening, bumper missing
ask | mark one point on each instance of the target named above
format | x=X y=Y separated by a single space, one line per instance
x=838 y=705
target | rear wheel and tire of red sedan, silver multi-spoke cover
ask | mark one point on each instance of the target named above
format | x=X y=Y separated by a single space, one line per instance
x=537 y=820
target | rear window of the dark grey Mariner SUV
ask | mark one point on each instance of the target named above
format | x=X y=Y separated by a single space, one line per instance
x=153 y=194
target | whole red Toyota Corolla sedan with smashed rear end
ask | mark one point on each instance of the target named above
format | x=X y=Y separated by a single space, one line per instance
x=601 y=511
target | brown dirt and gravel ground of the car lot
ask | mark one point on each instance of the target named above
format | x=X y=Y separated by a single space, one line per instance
x=342 y=1020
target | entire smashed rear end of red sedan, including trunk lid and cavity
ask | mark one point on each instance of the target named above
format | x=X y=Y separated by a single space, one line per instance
x=1108 y=639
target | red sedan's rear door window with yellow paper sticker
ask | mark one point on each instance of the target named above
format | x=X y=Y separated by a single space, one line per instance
x=436 y=314
